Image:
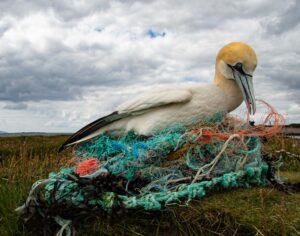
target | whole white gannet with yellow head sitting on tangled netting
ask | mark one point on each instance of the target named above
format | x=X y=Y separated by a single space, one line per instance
x=158 y=108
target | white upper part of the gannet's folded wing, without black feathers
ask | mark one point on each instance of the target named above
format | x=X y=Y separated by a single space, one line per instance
x=155 y=99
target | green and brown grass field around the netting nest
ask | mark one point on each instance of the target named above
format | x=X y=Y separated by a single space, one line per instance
x=255 y=211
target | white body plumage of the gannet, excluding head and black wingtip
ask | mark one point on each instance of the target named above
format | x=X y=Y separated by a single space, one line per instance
x=161 y=107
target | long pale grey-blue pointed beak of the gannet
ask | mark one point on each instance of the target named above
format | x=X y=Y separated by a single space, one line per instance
x=245 y=84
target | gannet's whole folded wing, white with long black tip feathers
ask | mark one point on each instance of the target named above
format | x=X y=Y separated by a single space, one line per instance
x=135 y=106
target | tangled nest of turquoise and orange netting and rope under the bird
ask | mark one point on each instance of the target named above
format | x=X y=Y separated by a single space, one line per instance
x=175 y=165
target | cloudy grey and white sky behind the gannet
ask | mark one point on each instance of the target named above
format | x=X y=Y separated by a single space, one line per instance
x=66 y=63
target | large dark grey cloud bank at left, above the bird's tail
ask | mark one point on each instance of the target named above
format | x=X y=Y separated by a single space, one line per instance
x=63 y=74
